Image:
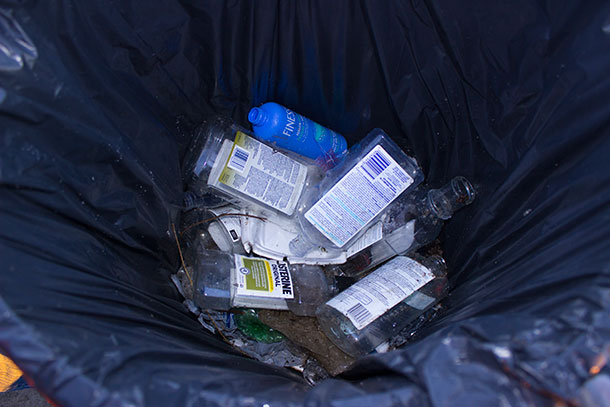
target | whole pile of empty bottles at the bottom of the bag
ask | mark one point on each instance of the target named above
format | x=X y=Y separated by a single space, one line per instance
x=275 y=217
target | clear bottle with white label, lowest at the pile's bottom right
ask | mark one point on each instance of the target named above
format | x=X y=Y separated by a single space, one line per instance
x=380 y=305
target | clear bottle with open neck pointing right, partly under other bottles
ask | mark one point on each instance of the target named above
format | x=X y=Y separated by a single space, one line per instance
x=410 y=223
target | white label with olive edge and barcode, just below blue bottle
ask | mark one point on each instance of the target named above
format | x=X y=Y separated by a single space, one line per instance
x=260 y=172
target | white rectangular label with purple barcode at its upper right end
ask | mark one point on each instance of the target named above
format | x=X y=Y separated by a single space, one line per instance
x=359 y=196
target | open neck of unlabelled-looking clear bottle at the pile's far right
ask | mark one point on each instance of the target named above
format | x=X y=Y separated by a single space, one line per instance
x=443 y=202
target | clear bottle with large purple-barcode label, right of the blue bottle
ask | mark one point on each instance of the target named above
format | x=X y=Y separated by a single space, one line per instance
x=354 y=195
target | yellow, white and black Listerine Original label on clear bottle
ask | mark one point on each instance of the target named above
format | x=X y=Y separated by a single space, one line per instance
x=262 y=278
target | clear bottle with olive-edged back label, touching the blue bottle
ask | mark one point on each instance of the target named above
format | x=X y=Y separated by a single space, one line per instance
x=225 y=161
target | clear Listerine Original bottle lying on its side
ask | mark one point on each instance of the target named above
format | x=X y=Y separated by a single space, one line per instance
x=224 y=281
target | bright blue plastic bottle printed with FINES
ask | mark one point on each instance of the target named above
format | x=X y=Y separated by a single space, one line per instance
x=291 y=131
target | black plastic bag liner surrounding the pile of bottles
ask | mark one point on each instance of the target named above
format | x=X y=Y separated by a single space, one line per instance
x=98 y=102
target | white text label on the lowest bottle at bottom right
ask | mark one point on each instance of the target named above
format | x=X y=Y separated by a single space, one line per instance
x=381 y=290
